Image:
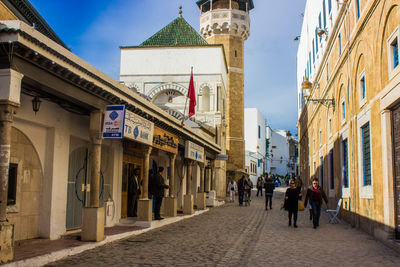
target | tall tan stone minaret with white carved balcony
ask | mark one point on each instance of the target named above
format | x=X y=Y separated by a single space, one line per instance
x=227 y=22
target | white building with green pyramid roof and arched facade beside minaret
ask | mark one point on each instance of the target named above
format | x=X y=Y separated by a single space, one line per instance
x=159 y=69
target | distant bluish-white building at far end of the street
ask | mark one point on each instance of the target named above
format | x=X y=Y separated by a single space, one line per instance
x=282 y=156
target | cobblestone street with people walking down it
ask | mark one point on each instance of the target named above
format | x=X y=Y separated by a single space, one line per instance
x=243 y=236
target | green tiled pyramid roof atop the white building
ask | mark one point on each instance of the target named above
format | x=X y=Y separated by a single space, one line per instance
x=177 y=33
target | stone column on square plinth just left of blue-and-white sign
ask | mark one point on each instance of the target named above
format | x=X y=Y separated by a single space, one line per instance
x=93 y=216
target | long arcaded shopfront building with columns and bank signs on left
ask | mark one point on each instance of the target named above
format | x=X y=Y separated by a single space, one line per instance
x=62 y=169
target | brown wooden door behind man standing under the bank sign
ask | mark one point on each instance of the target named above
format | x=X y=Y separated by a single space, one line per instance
x=130 y=163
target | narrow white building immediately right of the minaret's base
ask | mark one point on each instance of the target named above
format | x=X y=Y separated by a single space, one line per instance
x=255 y=143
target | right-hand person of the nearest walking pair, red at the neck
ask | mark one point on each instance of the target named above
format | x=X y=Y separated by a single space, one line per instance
x=315 y=194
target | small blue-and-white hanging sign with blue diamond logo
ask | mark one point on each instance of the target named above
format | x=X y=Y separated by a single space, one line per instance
x=113 y=126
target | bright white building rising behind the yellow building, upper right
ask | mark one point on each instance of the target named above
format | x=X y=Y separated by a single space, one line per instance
x=319 y=19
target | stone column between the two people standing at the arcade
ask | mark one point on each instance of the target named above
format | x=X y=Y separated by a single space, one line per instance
x=145 y=204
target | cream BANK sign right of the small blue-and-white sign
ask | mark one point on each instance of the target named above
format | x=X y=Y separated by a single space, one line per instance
x=138 y=128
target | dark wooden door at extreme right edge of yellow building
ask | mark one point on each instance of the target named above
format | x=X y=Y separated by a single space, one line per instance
x=396 y=165
